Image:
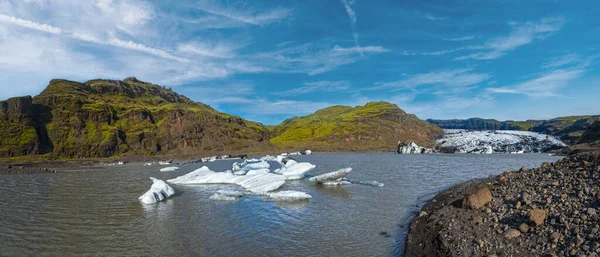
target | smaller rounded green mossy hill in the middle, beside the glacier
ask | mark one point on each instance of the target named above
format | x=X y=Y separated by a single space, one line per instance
x=376 y=126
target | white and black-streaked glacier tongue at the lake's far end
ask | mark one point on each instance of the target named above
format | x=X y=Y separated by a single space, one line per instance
x=498 y=141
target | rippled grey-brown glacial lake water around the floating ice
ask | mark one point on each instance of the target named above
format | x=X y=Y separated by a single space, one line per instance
x=96 y=212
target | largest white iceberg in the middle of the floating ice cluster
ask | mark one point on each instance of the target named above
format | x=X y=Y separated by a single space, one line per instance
x=258 y=184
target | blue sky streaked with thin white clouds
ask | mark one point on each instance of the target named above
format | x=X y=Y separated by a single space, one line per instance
x=270 y=60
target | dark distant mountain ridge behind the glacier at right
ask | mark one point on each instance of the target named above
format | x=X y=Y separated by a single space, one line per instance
x=569 y=129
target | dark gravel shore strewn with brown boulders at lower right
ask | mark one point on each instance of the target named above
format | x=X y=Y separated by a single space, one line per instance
x=553 y=210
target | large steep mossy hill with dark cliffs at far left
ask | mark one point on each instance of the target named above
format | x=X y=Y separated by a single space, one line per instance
x=102 y=118
